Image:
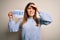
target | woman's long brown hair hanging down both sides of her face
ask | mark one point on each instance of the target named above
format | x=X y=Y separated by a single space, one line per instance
x=26 y=16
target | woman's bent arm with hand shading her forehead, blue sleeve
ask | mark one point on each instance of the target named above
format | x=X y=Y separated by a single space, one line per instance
x=44 y=18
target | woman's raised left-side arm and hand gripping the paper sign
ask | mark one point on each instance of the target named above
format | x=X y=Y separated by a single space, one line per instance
x=13 y=25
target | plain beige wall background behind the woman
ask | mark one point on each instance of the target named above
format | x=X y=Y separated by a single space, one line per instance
x=49 y=32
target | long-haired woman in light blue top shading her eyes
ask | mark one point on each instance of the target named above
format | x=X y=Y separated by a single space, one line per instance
x=30 y=23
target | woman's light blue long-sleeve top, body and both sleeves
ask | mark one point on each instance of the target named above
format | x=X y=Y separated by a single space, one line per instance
x=29 y=30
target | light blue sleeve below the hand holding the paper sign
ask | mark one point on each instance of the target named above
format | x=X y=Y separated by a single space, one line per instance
x=13 y=27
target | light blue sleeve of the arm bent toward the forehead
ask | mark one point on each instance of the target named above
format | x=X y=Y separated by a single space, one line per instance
x=45 y=18
